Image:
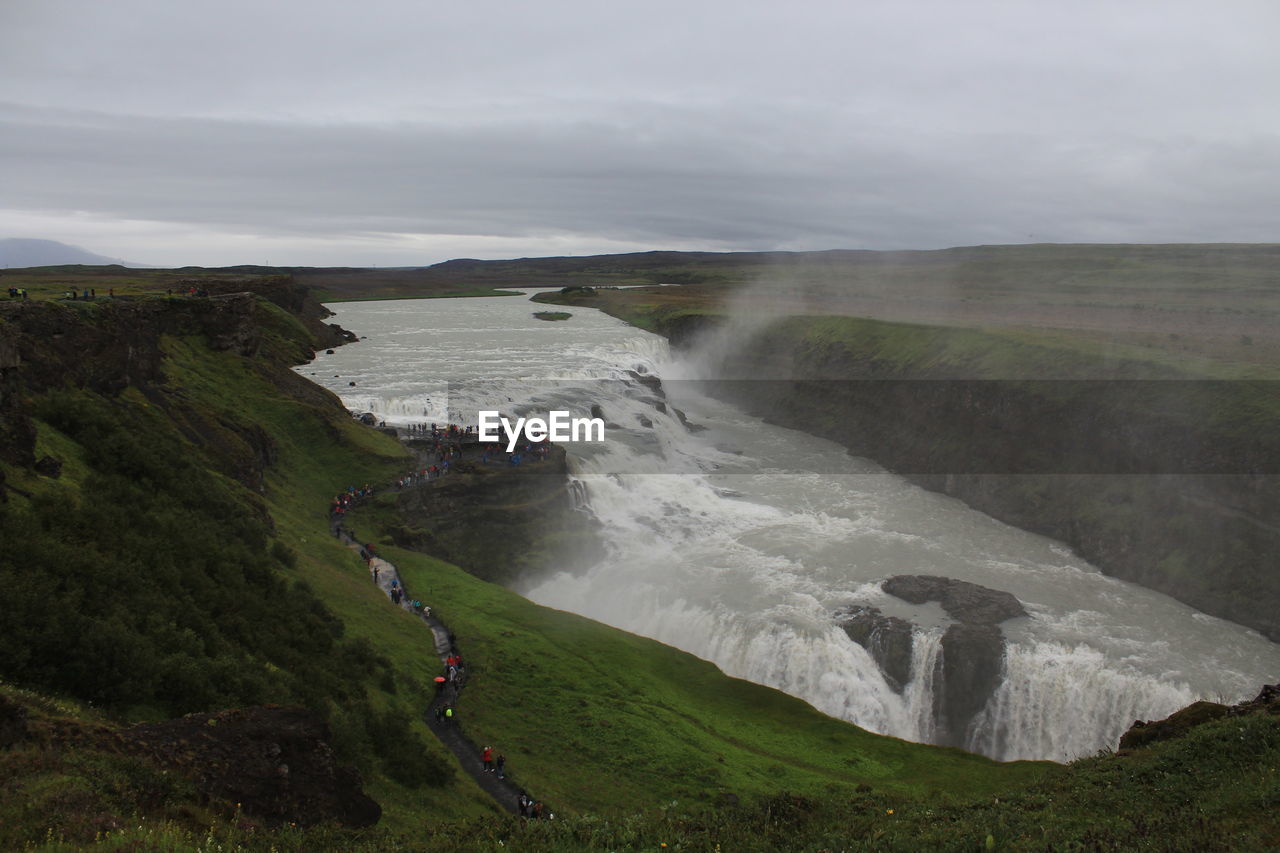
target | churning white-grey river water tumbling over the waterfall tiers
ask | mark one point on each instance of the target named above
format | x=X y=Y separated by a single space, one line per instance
x=739 y=542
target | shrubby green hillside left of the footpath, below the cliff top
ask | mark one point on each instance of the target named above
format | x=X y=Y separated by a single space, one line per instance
x=150 y=581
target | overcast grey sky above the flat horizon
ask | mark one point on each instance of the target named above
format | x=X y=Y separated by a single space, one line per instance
x=399 y=133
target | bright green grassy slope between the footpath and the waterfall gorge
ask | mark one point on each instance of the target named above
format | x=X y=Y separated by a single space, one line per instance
x=596 y=719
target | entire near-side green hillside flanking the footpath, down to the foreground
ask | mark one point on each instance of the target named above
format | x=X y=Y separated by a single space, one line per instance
x=167 y=550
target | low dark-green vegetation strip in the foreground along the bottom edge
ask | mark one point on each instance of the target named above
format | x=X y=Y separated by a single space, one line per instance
x=1214 y=790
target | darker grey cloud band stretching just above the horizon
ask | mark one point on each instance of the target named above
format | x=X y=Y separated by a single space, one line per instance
x=650 y=175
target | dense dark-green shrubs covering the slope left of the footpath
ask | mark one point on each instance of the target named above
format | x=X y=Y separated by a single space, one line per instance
x=159 y=587
